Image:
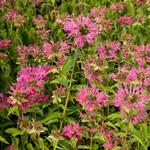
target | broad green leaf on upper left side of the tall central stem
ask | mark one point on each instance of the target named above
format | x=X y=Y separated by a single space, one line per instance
x=67 y=66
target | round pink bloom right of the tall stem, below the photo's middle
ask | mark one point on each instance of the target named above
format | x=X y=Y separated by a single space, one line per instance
x=91 y=98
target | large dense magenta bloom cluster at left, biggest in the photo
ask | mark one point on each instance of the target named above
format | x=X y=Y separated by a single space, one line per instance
x=29 y=88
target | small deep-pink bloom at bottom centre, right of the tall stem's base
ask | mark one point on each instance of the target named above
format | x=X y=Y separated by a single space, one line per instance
x=72 y=130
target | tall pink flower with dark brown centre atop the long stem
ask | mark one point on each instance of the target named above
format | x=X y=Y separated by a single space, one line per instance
x=82 y=29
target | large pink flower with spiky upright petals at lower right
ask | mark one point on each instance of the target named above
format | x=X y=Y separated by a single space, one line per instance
x=132 y=100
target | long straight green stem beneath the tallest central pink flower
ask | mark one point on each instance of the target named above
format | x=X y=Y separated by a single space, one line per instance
x=69 y=88
